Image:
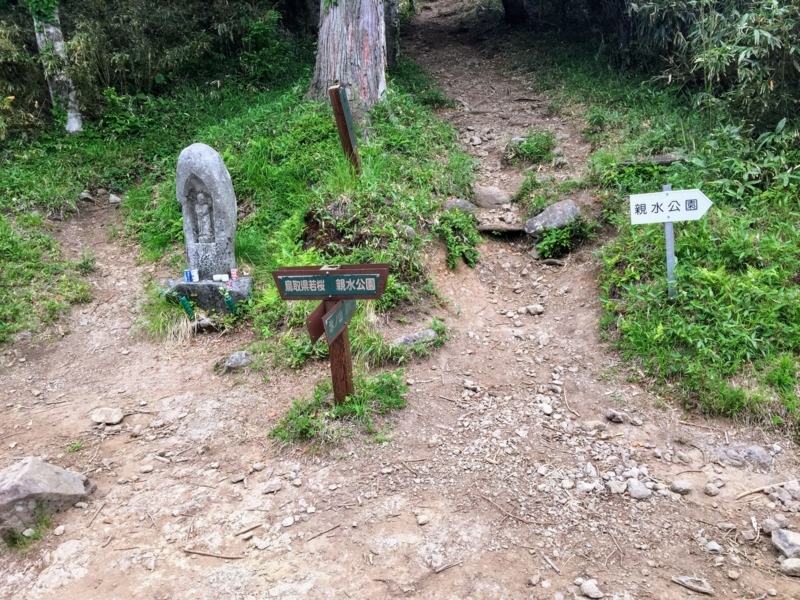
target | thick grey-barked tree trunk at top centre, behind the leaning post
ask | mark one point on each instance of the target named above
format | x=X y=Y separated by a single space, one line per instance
x=351 y=51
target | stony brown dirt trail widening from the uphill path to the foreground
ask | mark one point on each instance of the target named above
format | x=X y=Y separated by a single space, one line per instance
x=504 y=448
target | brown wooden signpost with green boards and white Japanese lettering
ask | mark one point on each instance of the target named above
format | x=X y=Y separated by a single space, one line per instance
x=338 y=287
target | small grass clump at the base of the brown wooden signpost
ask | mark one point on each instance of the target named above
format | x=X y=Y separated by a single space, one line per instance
x=320 y=420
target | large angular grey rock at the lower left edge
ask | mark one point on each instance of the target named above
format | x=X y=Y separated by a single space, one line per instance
x=32 y=484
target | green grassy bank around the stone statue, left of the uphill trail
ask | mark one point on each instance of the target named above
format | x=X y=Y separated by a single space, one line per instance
x=287 y=166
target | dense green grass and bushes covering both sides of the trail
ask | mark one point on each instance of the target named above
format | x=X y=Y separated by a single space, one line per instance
x=715 y=82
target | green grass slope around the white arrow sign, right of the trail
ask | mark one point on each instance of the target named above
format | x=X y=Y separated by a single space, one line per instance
x=738 y=269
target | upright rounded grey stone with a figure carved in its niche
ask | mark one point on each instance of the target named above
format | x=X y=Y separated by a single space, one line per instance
x=205 y=191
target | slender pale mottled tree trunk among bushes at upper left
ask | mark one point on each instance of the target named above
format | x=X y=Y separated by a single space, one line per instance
x=49 y=37
